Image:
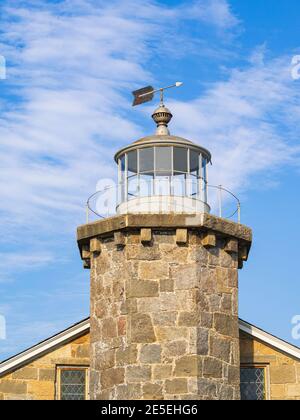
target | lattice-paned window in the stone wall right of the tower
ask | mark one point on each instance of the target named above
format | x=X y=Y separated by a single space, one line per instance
x=253 y=383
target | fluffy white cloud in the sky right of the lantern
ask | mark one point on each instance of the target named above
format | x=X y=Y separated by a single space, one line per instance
x=250 y=122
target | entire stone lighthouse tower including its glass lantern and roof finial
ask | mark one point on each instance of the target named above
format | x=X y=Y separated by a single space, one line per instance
x=164 y=279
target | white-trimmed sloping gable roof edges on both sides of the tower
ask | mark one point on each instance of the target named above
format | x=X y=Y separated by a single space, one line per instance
x=83 y=327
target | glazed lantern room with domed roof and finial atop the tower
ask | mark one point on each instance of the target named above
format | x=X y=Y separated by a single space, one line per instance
x=162 y=173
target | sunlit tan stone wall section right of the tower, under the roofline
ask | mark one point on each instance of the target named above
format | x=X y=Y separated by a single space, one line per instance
x=282 y=370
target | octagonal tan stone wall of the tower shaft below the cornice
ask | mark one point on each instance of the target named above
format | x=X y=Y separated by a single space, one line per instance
x=164 y=315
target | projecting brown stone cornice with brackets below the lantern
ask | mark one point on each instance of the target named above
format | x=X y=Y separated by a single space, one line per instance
x=211 y=226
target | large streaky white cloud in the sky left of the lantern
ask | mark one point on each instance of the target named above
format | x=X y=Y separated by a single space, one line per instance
x=69 y=66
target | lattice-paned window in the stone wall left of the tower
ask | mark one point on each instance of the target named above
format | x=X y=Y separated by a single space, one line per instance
x=72 y=383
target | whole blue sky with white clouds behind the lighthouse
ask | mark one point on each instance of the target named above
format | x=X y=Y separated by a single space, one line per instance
x=66 y=108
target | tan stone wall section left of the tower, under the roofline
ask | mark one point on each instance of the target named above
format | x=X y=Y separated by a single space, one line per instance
x=37 y=380
